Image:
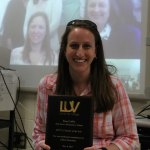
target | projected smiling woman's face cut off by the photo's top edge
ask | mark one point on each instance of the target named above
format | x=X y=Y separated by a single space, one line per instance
x=98 y=11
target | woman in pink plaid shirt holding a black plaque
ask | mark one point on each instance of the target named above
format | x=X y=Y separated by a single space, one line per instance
x=82 y=71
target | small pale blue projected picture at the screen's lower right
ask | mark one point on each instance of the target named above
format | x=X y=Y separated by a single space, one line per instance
x=128 y=71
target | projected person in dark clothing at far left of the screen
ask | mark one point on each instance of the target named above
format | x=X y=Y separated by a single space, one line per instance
x=12 y=25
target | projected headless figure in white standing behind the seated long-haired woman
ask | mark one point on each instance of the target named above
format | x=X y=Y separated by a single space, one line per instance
x=53 y=9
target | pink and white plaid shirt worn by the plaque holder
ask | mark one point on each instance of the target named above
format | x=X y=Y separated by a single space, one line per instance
x=117 y=126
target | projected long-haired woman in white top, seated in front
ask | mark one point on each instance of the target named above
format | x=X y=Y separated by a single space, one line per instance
x=36 y=50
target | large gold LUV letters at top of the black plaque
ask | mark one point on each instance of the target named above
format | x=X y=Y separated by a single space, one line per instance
x=73 y=109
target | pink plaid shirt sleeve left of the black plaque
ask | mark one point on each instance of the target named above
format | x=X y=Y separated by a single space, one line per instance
x=40 y=123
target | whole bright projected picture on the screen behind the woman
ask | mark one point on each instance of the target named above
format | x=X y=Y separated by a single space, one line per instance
x=32 y=30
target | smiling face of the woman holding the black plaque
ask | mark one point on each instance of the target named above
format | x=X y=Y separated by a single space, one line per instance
x=80 y=51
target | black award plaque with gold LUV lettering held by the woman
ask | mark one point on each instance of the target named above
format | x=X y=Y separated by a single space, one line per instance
x=69 y=122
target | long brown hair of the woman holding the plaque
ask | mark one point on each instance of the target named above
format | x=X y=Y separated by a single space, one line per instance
x=103 y=91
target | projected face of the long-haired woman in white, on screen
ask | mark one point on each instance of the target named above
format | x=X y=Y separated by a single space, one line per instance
x=37 y=30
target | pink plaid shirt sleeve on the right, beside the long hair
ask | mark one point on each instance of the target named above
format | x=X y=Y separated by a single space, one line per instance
x=124 y=121
